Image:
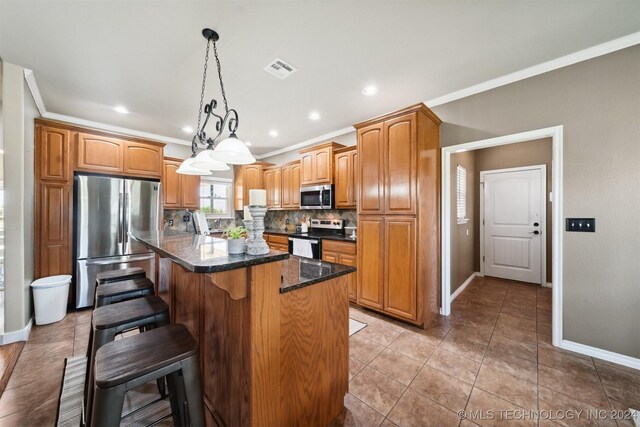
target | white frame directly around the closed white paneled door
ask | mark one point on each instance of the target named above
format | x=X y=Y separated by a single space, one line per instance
x=543 y=217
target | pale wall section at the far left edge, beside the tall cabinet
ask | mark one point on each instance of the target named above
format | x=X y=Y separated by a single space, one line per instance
x=18 y=114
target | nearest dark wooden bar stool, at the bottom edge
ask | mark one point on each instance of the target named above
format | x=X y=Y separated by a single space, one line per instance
x=135 y=360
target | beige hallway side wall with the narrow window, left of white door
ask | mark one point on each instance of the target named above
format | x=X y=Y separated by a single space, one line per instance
x=463 y=251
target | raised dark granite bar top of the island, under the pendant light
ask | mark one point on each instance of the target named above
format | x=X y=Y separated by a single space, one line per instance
x=201 y=254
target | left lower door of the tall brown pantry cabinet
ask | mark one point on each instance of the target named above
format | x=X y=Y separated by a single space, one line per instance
x=371 y=258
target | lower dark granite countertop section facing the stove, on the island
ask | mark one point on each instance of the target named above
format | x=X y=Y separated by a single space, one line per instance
x=300 y=272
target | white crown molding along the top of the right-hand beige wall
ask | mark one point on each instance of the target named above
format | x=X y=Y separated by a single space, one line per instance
x=554 y=64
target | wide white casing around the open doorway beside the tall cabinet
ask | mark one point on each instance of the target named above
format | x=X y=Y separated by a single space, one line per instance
x=556 y=135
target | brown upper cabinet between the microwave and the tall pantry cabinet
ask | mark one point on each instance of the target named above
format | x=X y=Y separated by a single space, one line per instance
x=345 y=162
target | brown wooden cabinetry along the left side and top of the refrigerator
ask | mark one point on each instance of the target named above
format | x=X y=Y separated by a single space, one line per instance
x=60 y=150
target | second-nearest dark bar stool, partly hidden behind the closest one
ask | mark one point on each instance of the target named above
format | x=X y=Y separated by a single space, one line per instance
x=110 y=320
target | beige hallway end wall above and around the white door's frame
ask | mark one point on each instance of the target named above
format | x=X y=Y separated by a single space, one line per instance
x=527 y=153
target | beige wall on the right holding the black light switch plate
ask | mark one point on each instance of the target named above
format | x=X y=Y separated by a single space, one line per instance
x=598 y=103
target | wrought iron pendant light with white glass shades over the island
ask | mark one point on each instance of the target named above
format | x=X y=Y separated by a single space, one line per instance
x=230 y=150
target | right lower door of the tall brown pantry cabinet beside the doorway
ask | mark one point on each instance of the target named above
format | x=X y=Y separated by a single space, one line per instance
x=401 y=297
